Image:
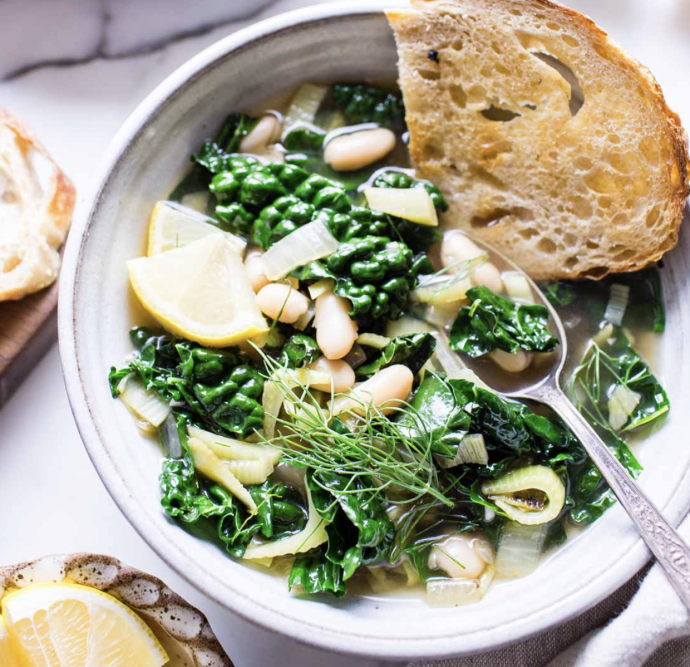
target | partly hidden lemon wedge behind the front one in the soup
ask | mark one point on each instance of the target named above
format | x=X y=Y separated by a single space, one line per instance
x=175 y=226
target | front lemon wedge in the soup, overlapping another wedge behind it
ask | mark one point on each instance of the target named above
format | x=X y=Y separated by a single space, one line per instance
x=200 y=292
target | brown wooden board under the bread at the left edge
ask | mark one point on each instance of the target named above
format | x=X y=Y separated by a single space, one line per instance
x=28 y=328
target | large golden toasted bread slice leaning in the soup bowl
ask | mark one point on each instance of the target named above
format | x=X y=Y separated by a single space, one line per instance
x=549 y=140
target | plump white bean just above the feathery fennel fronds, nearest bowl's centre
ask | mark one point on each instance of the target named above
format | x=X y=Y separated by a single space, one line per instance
x=388 y=387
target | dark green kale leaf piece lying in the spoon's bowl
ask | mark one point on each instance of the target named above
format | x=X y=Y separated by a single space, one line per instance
x=492 y=321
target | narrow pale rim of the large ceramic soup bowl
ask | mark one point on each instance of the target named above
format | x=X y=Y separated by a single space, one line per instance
x=592 y=592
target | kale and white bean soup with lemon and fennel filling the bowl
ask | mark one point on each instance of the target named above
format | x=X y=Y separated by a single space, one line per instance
x=308 y=383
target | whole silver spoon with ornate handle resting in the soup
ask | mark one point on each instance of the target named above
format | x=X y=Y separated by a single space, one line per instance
x=668 y=547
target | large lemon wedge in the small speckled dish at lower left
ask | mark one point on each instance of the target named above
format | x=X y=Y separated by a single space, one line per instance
x=67 y=624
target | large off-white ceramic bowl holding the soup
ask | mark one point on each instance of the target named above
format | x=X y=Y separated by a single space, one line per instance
x=96 y=310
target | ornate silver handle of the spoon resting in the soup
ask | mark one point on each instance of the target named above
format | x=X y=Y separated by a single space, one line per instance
x=669 y=548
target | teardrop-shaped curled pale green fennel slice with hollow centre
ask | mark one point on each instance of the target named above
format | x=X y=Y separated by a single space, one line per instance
x=530 y=495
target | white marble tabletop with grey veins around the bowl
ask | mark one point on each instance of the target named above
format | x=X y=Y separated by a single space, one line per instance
x=51 y=497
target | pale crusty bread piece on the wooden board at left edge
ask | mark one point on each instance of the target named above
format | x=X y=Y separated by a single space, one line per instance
x=36 y=204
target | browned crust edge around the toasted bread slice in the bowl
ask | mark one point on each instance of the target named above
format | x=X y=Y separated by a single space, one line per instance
x=676 y=189
